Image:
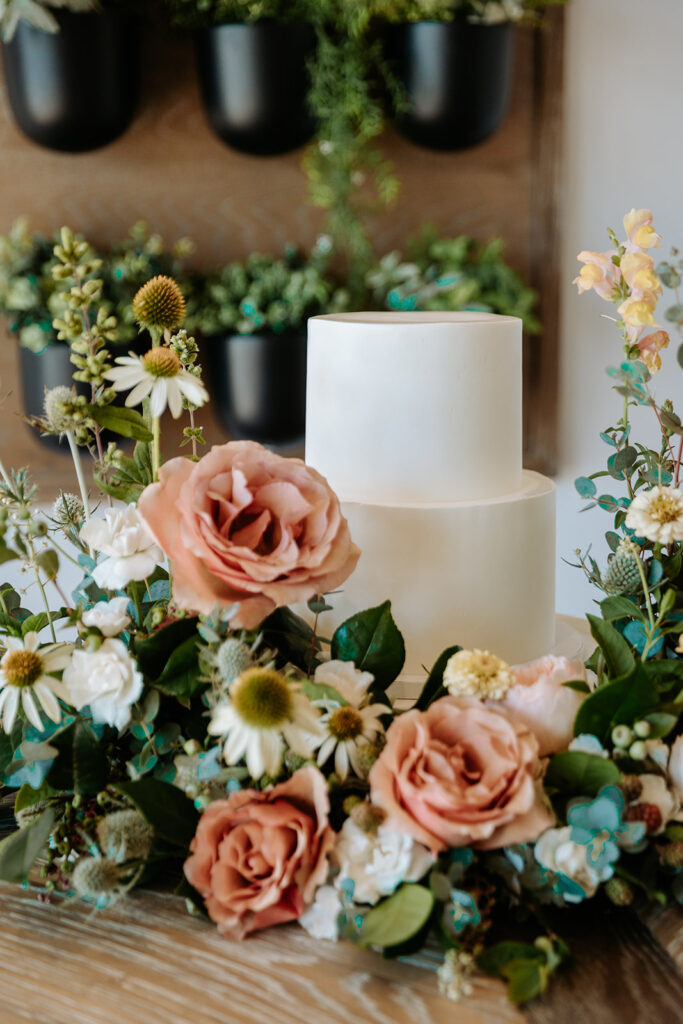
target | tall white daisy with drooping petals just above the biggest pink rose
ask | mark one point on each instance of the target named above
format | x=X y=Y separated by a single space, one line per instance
x=160 y=376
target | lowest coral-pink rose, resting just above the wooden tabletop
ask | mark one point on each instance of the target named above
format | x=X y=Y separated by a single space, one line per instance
x=259 y=858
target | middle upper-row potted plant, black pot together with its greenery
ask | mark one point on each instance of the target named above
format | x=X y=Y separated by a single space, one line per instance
x=252 y=59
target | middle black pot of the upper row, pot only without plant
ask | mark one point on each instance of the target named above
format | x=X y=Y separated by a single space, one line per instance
x=254 y=82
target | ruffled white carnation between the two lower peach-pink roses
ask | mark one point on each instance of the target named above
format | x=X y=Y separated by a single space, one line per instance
x=378 y=862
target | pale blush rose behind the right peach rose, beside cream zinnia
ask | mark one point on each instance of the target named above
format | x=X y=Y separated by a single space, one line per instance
x=543 y=704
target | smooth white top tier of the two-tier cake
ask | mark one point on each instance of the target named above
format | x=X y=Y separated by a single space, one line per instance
x=426 y=407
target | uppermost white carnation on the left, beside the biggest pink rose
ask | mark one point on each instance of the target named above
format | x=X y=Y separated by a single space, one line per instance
x=125 y=538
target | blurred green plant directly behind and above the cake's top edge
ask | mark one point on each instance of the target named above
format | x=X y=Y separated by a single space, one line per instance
x=452 y=274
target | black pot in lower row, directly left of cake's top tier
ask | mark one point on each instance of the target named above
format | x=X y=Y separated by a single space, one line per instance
x=260 y=386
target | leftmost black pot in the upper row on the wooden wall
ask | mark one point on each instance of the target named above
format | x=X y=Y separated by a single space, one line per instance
x=76 y=90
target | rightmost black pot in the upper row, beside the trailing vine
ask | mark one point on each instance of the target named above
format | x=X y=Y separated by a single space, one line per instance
x=458 y=77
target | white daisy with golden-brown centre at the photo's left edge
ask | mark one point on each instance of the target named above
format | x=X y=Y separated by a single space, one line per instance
x=26 y=674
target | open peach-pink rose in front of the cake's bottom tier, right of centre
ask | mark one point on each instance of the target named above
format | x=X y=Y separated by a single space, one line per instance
x=461 y=775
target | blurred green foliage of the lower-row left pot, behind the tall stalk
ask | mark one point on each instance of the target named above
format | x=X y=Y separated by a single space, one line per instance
x=30 y=300
